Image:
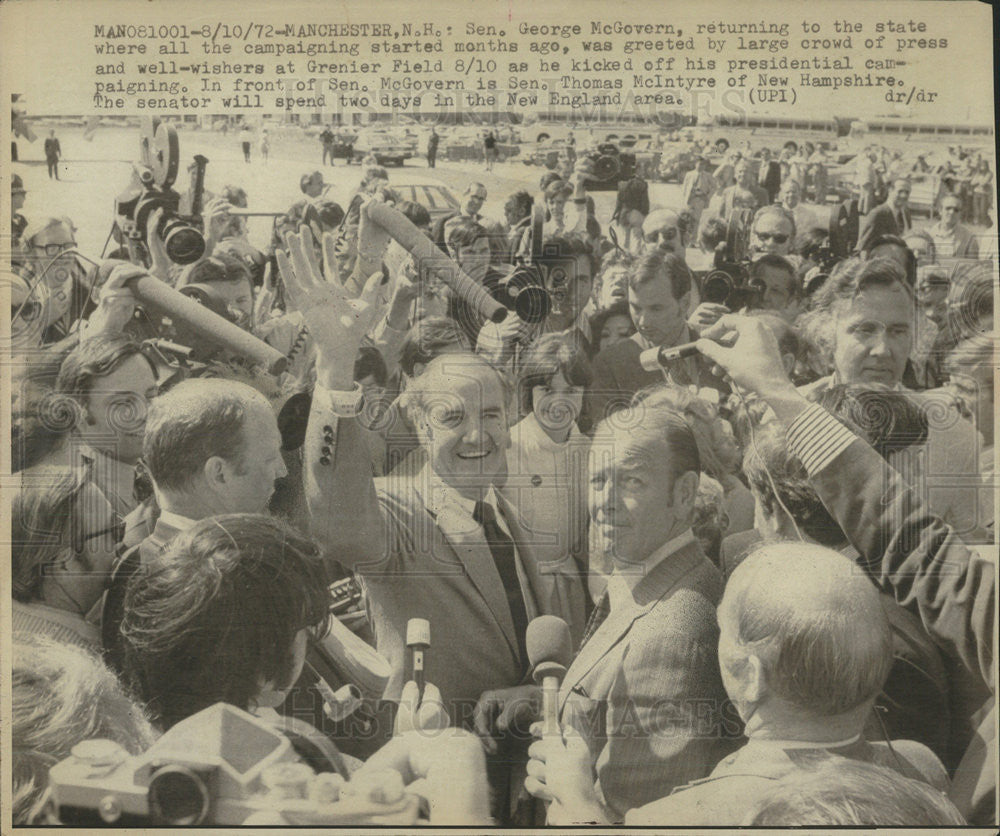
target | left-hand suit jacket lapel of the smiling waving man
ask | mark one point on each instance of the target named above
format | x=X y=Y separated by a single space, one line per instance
x=465 y=538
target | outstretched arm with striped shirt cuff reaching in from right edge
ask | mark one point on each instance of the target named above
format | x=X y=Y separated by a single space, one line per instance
x=902 y=547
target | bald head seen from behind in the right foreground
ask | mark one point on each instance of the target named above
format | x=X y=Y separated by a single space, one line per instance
x=814 y=621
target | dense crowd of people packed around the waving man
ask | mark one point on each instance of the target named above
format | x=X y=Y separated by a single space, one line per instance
x=763 y=544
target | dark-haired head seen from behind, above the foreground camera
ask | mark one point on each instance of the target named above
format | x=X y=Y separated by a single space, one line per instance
x=219 y=616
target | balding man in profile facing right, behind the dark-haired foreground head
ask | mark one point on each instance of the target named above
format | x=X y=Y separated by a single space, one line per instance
x=211 y=447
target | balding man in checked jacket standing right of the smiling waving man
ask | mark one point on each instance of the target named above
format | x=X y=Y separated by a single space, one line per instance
x=644 y=691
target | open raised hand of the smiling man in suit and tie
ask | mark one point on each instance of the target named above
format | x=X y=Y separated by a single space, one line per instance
x=337 y=322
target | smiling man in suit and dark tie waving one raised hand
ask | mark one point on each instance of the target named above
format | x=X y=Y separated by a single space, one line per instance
x=441 y=544
